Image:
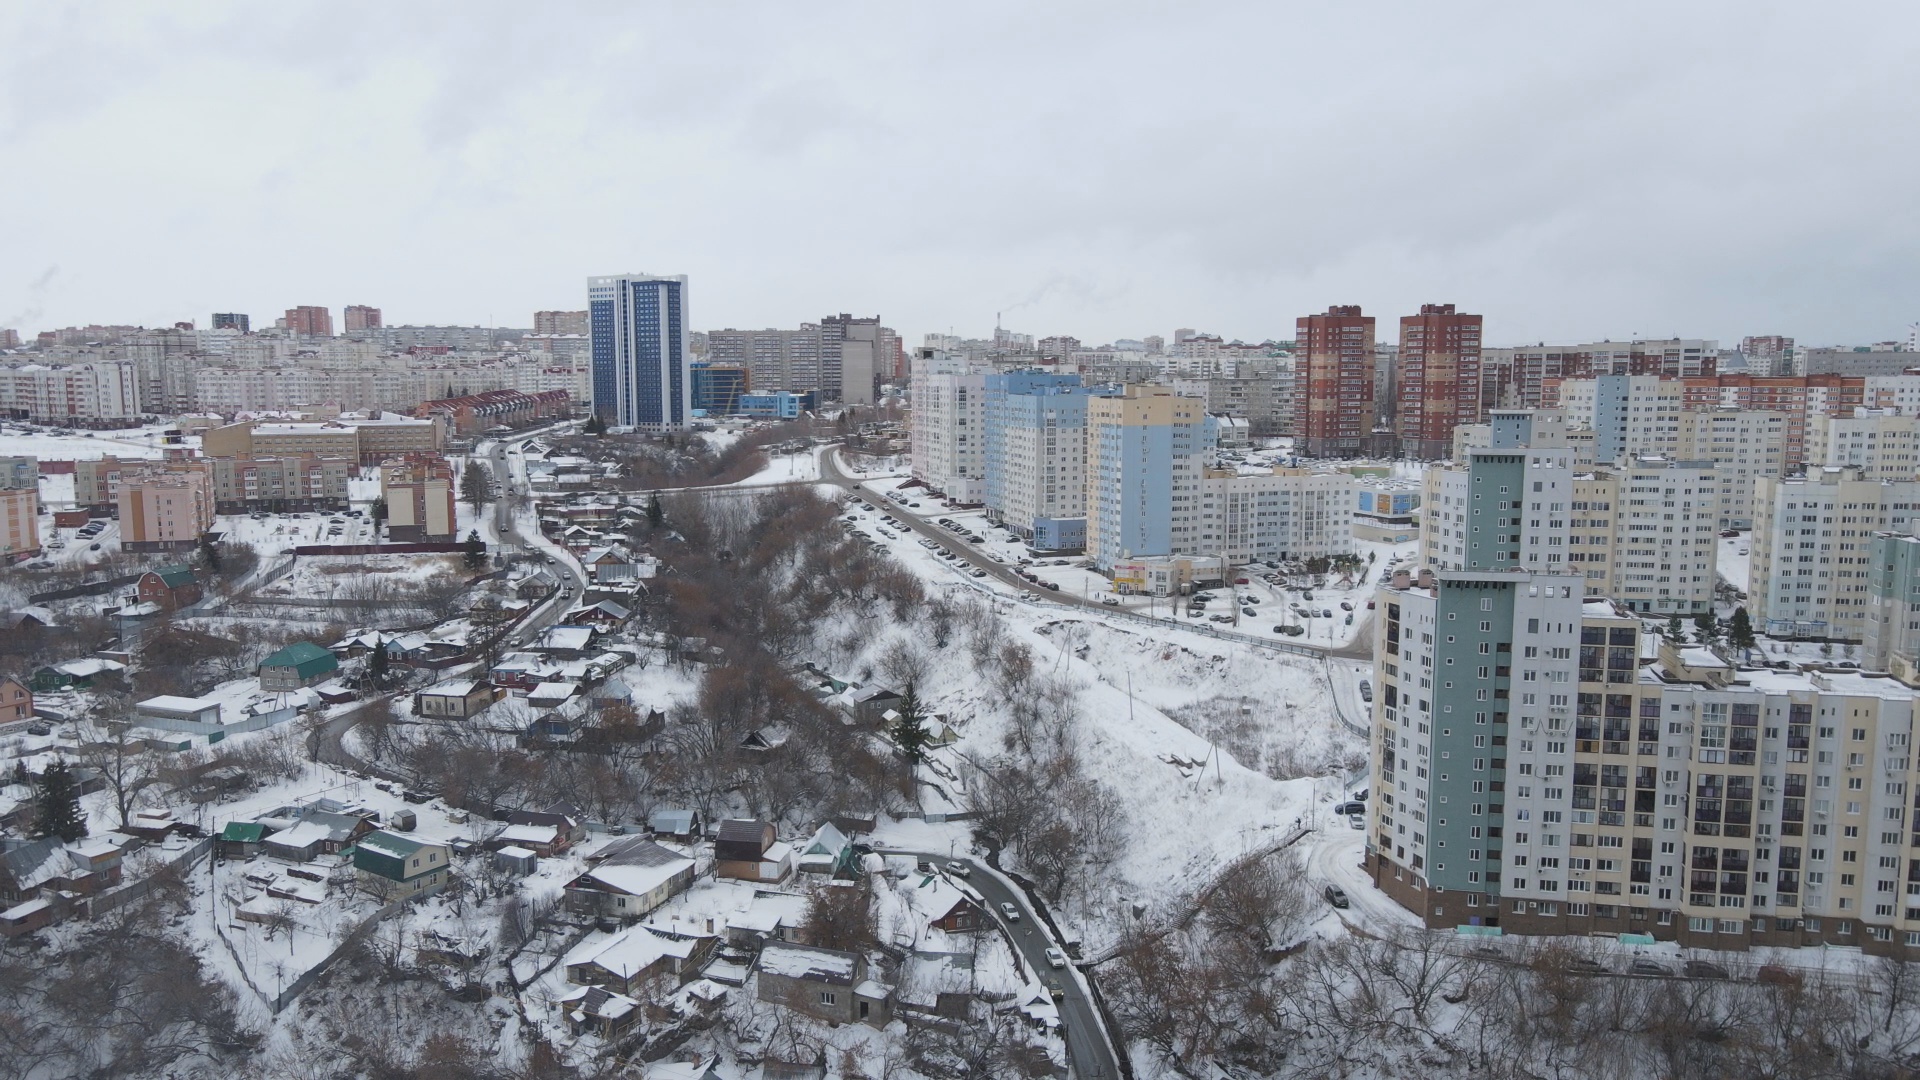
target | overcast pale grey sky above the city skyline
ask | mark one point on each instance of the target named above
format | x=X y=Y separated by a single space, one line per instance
x=1099 y=170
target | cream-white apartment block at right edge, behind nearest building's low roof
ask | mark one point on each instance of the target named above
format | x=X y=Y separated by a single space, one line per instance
x=1812 y=549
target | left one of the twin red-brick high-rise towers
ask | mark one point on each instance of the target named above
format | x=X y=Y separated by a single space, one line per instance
x=1333 y=383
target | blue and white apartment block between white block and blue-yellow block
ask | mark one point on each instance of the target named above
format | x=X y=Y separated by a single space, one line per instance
x=1036 y=456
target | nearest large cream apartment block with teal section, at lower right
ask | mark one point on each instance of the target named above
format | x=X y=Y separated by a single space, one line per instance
x=1531 y=775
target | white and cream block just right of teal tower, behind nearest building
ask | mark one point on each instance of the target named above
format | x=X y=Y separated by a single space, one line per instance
x=1644 y=533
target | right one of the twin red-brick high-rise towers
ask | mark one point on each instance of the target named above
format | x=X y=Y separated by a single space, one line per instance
x=1439 y=380
